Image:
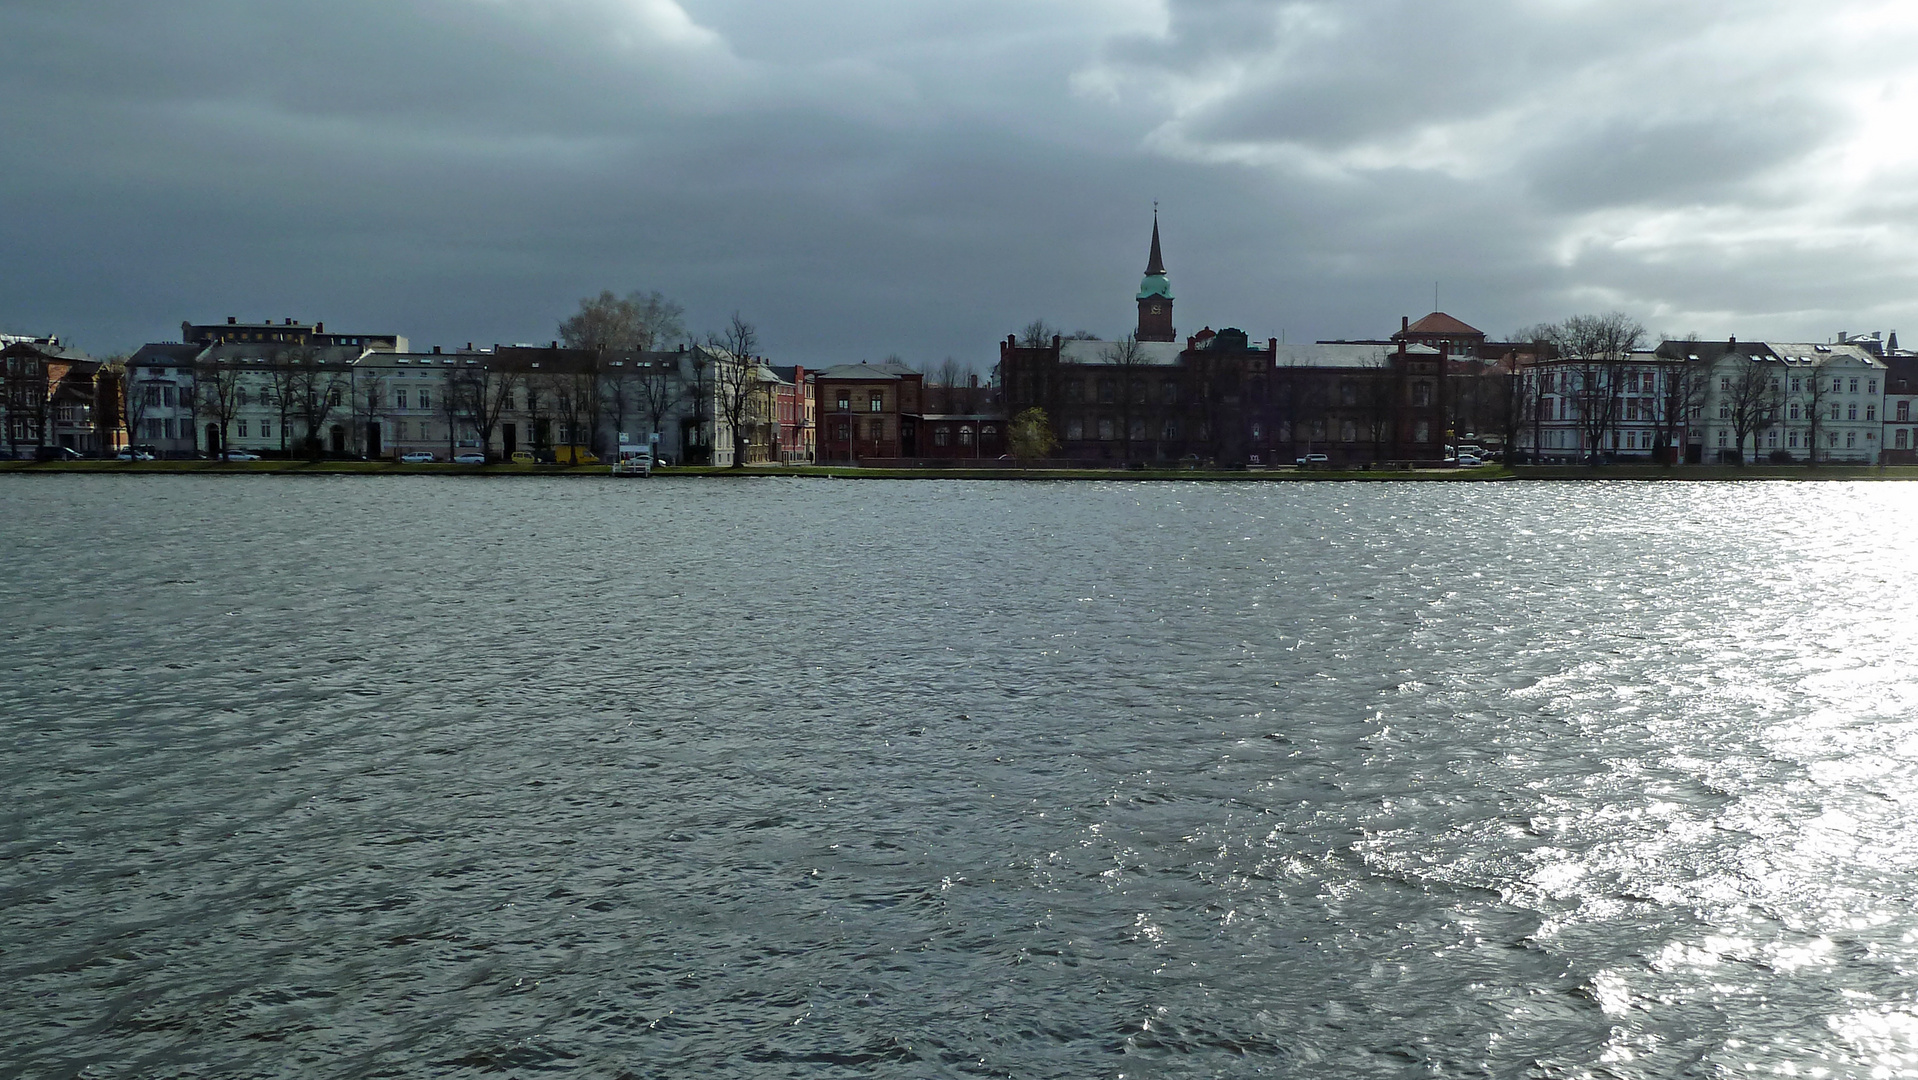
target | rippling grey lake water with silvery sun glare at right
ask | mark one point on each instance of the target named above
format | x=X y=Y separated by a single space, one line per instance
x=801 y=778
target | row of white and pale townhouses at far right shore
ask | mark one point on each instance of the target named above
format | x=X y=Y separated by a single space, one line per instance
x=1723 y=402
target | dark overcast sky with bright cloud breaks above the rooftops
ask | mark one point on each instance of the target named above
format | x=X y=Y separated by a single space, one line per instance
x=872 y=177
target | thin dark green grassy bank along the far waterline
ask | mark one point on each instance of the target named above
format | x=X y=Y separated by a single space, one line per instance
x=853 y=473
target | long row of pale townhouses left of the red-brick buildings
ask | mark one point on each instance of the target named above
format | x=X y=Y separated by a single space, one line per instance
x=287 y=388
